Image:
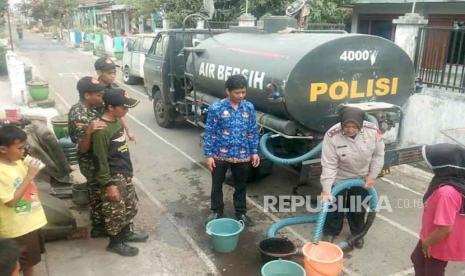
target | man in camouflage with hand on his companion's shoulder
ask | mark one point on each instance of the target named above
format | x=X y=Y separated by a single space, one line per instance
x=83 y=121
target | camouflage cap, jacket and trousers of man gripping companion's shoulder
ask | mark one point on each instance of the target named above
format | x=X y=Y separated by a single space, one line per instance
x=79 y=117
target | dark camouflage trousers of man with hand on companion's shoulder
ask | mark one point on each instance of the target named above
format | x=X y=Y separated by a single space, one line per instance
x=95 y=195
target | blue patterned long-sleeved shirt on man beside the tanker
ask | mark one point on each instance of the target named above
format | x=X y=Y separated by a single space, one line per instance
x=231 y=135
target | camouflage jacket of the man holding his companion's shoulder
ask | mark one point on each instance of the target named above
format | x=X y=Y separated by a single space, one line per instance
x=79 y=118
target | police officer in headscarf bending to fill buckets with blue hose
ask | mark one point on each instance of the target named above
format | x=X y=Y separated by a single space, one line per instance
x=353 y=148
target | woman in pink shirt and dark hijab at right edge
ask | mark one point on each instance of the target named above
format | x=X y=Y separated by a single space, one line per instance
x=442 y=235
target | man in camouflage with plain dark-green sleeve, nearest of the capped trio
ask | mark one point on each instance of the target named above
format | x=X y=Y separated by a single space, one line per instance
x=115 y=174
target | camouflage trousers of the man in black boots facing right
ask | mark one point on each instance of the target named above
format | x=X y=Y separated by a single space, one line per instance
x=118 y=214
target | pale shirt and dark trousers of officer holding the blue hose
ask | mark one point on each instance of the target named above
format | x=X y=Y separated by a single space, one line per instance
x=344 y=158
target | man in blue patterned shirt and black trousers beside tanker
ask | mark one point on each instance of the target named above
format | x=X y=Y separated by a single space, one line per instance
x=231 y=141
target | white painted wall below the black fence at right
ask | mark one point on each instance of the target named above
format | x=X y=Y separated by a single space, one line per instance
x=429 y=112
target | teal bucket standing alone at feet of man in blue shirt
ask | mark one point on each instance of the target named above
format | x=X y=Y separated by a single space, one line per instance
x=224 y=233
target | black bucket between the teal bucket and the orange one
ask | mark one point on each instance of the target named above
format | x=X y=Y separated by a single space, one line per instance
x=276 y=248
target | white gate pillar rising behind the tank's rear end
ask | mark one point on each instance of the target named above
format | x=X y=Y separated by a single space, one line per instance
x=407 y=32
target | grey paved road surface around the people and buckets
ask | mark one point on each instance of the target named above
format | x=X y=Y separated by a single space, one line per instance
x=174 y=191
